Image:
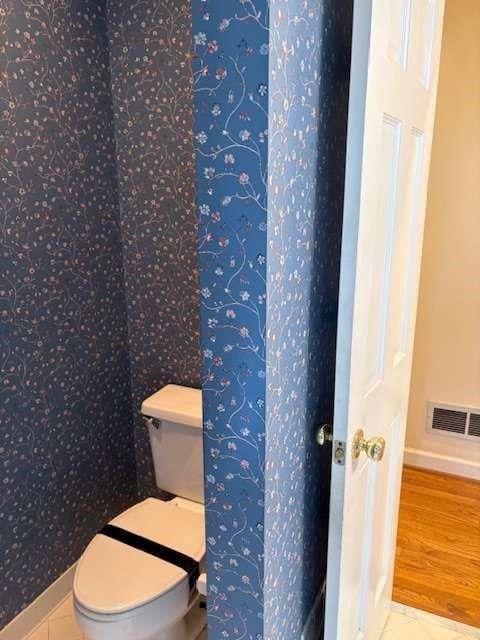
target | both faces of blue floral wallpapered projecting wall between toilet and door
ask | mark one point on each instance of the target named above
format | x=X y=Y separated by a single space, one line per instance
x=271 y=83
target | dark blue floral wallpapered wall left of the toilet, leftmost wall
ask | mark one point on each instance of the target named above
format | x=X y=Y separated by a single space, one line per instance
x=66 y=446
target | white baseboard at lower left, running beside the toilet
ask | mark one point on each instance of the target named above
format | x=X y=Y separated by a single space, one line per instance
x=35 y=613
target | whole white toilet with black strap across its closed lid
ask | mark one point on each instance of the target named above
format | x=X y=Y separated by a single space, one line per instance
x=136 y=579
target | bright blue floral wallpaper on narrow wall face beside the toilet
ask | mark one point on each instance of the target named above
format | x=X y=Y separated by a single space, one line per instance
x=231 y=127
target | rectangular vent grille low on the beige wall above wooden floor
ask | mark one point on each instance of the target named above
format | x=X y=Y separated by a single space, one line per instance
x=451 y=420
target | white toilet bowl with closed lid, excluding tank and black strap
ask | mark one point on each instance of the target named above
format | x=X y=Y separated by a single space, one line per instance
x=123 y=593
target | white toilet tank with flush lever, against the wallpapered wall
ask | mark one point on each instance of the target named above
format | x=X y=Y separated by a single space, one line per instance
x=174 y=419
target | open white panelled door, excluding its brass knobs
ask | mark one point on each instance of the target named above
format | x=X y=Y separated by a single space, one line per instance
x=395 y=60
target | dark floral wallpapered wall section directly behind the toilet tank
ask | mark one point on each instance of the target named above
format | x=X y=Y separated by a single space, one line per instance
x=150 y=55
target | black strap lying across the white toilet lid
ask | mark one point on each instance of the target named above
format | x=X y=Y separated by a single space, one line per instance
x=189 y=565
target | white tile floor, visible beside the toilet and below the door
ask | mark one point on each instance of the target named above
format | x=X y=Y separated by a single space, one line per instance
x=403 y=624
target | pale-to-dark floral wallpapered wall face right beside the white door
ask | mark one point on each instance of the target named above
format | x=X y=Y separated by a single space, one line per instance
x=308 y=85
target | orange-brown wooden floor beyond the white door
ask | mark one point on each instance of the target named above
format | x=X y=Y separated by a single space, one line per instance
x=437 y=565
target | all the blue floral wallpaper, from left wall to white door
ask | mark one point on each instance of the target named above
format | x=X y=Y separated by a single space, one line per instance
x=101 y=293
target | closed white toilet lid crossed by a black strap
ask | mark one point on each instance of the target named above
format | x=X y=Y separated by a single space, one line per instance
x=112 y=577
